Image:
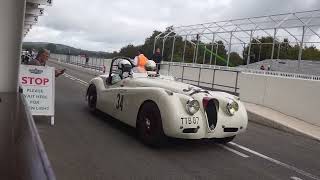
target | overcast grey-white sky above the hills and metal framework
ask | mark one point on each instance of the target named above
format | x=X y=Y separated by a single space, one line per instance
x=108 y=25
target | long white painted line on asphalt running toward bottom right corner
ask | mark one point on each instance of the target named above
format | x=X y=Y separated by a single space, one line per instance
x=276 y=161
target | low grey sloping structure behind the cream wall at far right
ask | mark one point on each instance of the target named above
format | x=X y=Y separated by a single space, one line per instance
x=284 y=65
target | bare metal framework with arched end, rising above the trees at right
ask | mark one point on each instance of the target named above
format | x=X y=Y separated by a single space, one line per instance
x=240 y=35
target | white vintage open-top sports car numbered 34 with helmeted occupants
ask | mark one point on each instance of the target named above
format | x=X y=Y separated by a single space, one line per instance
x=158 y=106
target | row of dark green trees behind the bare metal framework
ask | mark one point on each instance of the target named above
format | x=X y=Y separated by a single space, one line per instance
x=261 y=49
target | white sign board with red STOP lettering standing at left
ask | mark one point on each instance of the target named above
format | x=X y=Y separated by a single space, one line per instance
x=38 y=85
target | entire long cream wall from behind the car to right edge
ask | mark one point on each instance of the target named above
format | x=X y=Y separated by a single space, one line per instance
x=296 y=95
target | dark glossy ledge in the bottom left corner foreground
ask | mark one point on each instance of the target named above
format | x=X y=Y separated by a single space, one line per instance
x=22 y=152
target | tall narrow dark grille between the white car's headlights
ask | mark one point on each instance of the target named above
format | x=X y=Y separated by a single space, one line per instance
x=211 y=107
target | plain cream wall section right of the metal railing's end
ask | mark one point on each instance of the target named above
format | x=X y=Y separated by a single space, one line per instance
x=296 y=97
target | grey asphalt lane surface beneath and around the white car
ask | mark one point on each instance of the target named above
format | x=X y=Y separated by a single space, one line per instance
x=85 y=146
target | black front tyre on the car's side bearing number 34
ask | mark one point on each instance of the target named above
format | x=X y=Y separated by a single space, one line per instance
x=149 y=125
